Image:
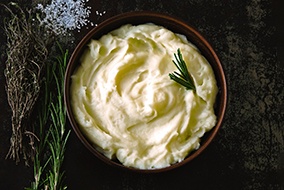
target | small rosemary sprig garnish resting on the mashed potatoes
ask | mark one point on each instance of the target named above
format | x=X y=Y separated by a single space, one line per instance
x=183 y=78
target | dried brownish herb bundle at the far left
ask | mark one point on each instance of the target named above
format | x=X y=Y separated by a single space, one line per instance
x=27 y=52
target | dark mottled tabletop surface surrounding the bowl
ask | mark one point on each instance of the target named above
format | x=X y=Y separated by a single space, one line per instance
x=248 y=152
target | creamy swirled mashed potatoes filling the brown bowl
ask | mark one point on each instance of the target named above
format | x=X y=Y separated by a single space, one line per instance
x=129 y=108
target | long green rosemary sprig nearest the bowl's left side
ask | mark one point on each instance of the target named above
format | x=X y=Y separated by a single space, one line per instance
x=58 y=134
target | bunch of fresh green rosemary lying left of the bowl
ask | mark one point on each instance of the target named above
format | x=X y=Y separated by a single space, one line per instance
x=48 y=162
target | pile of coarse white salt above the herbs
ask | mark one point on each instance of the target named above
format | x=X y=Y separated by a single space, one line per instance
x=62 y=16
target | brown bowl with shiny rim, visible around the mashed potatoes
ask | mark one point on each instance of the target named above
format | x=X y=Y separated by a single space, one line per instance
x=174 y=25
